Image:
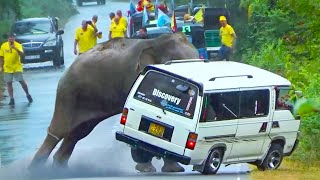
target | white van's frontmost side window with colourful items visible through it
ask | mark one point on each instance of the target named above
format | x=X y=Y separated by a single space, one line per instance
x=283 y=99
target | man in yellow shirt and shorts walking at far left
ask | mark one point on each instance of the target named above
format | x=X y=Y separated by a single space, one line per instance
x=10 y=63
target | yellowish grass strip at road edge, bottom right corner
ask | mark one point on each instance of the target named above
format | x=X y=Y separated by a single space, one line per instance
x=289 y=170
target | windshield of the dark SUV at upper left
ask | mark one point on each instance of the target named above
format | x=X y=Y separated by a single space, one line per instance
x=27 y=28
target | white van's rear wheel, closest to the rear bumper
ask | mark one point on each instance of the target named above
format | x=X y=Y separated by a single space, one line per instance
x=213 y=162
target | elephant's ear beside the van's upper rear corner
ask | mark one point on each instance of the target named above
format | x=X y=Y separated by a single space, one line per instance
x=147 y=56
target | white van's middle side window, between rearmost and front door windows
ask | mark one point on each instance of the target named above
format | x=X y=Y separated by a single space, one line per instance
x=254 y=103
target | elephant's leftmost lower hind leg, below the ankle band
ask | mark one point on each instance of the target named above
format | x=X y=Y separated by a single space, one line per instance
x=43 y=153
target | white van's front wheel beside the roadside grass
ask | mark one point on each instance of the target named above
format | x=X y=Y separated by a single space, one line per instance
x=273 y=159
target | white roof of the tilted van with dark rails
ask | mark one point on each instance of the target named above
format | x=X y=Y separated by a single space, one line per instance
x=223 y=74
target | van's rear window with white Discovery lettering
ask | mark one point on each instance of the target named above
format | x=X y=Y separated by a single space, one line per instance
x=168 y=93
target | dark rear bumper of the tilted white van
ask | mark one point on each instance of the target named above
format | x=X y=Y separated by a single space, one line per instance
x=120 y=136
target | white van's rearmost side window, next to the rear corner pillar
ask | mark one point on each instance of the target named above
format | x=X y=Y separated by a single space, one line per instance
x=220 y=106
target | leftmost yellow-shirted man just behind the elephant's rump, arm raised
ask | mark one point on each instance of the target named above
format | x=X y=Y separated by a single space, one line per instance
x=85 y=37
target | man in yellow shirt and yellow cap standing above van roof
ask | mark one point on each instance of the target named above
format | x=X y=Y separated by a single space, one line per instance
x=228 y=39
